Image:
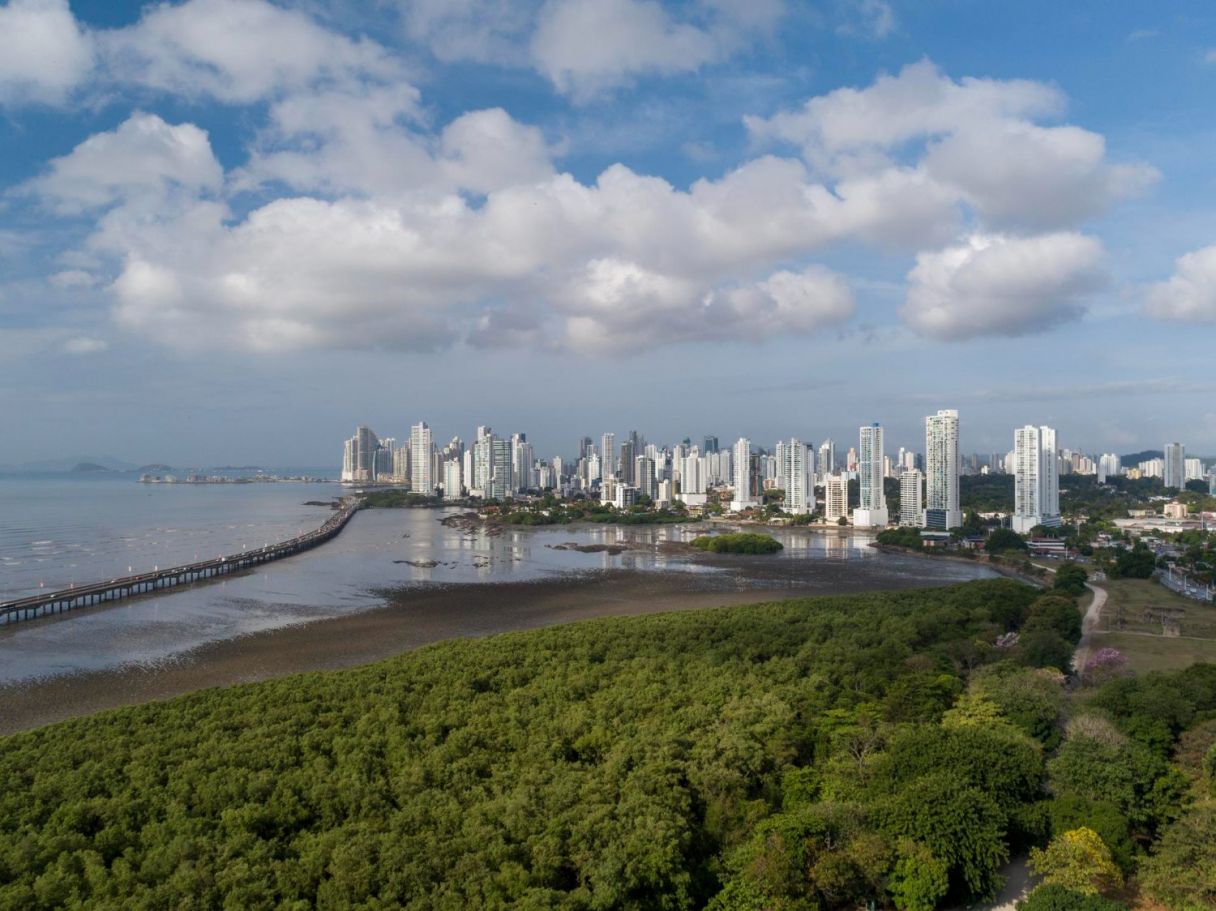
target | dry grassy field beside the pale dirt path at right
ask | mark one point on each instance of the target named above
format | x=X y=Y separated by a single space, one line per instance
x=1155 y=628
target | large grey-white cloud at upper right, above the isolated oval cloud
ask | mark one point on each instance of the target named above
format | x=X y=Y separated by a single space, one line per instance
x=976 y=139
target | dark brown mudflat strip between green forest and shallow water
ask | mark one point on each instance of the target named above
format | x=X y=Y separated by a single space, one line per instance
x=413 y=618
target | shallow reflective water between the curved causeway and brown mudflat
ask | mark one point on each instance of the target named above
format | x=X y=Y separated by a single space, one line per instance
x=404 y=549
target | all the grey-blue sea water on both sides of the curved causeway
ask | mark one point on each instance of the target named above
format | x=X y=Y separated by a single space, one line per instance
x=60 y=531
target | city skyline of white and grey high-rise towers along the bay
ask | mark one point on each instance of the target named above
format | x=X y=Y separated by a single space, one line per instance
x=665 y=475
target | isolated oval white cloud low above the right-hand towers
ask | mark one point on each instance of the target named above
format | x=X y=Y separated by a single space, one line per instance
x=995 y=285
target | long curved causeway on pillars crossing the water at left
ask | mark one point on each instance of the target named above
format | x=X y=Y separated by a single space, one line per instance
x=54 y=603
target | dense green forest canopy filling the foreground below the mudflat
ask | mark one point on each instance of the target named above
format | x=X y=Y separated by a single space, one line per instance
x=896 y=749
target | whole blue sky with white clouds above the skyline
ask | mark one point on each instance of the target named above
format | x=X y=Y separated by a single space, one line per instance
x=233 y=230
